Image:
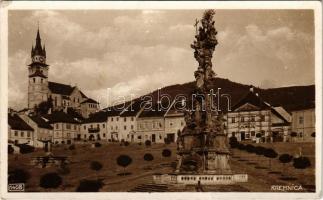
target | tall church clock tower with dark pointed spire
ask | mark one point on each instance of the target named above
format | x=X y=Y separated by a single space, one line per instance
x=37 y=75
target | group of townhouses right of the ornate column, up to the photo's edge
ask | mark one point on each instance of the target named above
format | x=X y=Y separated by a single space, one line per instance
x=254 y=119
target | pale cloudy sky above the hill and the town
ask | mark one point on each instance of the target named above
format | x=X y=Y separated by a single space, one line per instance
x=138 y=51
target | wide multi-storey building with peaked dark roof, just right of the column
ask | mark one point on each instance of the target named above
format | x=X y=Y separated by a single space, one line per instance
x=252 y=117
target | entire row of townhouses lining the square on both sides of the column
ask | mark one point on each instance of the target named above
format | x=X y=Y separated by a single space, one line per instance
x=251 y=118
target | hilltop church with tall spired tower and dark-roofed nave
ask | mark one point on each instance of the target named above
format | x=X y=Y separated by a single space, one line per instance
x=61 y=96
